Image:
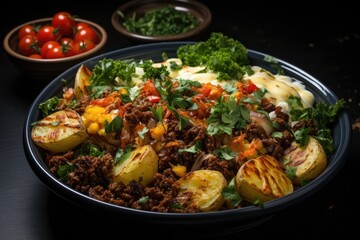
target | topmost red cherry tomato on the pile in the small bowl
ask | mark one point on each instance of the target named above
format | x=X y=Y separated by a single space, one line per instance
x=65 y=22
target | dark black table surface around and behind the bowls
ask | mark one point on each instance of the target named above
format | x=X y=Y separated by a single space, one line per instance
x=324 y=42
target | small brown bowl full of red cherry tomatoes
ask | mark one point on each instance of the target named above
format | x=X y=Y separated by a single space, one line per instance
x=44 y=48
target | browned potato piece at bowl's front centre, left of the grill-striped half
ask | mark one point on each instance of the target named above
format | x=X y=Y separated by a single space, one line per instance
x=204 y=188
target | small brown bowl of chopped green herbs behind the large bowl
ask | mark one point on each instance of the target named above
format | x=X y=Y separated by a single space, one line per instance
x=161 y=20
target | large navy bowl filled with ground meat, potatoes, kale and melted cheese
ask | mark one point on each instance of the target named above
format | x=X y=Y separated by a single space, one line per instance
x=189 y=129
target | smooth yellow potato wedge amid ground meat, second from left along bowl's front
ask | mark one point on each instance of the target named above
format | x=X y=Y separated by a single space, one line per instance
x=142 y=166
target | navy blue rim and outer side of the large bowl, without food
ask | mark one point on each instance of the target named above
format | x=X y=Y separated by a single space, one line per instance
x=236 y=218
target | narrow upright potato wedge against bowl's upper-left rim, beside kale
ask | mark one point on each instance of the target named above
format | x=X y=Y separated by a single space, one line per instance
x=82 y=81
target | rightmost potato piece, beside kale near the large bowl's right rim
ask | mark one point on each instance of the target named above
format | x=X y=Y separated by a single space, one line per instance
x=304 y=163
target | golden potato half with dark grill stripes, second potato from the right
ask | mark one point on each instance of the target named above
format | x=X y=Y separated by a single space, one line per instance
x=262 y=179
